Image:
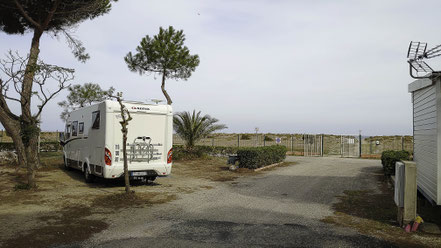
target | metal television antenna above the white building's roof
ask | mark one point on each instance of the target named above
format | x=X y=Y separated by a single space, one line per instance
x=416 y=54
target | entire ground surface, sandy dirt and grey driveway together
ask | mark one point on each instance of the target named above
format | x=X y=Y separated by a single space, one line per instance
x=202 y=204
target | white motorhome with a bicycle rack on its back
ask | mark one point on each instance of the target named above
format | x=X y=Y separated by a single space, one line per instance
x=92 y=140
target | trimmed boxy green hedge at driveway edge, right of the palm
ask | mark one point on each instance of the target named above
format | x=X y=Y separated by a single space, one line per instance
x=256 y=157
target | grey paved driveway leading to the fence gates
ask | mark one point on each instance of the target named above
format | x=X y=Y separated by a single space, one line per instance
x=280 y=208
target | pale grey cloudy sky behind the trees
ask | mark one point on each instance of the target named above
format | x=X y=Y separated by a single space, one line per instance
x=283 y=66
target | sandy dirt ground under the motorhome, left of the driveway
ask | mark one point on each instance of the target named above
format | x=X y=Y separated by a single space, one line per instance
x=64 y=209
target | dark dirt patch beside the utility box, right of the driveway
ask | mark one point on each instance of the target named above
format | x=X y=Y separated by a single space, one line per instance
x=374 y=213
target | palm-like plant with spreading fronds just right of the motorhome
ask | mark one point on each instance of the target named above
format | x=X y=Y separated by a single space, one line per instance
x=192 y=127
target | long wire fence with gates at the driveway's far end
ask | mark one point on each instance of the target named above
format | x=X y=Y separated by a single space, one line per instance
x=313 y=144
